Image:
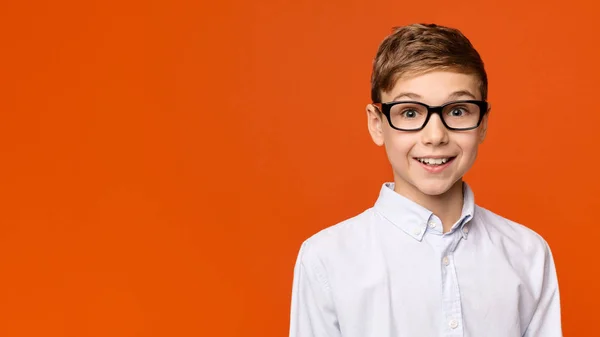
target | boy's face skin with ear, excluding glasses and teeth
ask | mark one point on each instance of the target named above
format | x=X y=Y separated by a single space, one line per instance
x=407 y=149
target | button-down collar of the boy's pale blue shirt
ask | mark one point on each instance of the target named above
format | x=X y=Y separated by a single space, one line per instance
x=413 y=218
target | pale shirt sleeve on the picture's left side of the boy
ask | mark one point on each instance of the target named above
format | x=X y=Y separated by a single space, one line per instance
x=312 y=309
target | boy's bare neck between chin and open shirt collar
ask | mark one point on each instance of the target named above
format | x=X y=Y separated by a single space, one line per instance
x=447 y=206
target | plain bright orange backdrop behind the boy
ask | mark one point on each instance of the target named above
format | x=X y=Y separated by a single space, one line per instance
x=163 y=161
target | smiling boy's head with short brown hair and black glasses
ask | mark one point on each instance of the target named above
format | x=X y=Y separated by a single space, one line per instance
x=419 y=66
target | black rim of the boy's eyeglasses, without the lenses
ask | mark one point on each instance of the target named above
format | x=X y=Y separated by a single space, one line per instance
x=385 y=108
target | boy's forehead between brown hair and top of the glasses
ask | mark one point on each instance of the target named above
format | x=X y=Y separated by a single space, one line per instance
x=434 y=87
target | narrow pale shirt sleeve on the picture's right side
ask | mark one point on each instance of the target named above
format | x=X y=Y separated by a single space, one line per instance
x=546 y=320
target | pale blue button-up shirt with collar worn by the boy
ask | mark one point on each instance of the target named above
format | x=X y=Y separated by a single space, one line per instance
x=391 y=272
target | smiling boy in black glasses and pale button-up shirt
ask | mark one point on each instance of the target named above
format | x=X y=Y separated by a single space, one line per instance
x=425 y=260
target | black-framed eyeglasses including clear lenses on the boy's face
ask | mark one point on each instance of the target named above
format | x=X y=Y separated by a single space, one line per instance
x=413 y=116
